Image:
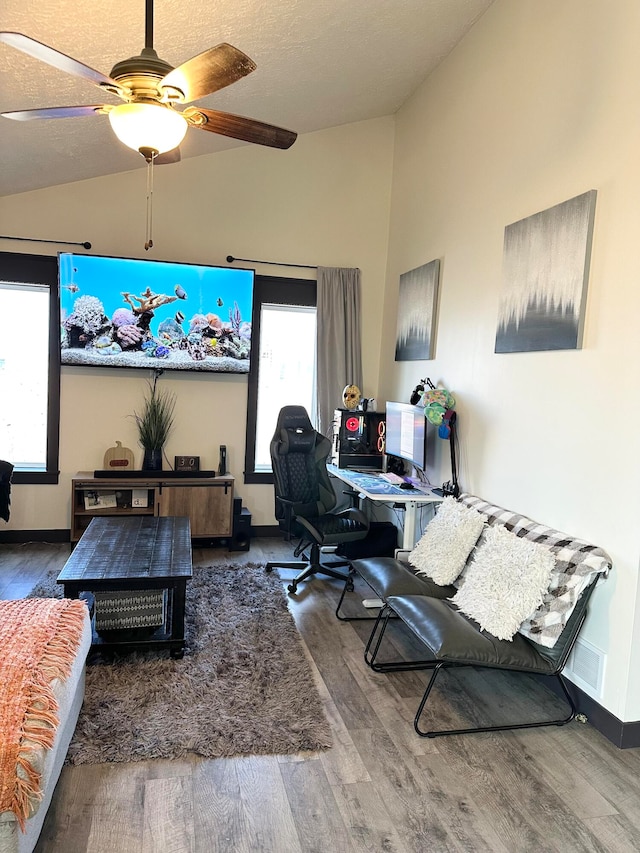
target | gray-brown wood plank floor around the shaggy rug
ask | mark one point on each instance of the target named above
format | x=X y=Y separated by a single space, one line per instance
x=380 y=788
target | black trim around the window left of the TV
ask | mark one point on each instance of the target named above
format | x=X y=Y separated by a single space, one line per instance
x=42 y=269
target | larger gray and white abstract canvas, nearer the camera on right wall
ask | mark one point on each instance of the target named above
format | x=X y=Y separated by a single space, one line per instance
x=545 y=275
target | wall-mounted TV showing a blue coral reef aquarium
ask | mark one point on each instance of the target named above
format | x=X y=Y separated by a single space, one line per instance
x=123 y=312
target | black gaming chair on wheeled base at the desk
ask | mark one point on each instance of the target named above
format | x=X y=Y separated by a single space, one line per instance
x=305 y=498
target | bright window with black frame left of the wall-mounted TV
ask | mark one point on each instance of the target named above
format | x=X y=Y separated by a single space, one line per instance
x=29 y=366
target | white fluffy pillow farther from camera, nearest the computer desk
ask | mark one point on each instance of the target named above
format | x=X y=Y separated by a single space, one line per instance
x=443 y=550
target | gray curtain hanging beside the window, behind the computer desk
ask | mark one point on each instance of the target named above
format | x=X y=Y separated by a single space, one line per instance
x=339 y=354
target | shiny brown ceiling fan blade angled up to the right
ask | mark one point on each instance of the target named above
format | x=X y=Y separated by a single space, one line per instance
x=209 y=71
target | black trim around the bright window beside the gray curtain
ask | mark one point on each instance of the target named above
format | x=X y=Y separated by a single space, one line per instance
x=277 y=291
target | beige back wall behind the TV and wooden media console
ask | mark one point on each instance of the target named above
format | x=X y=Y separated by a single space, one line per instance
x=325 y=201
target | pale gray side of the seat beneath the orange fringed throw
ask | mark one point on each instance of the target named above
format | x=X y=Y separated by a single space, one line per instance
x=69 y=695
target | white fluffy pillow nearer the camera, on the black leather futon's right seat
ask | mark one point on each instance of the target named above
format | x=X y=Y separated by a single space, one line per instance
x=505 y=582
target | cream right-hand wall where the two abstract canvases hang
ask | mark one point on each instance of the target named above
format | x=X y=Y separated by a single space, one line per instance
x=538 y=104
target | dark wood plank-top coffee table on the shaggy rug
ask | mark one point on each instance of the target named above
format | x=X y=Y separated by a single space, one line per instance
x=128 y=554
